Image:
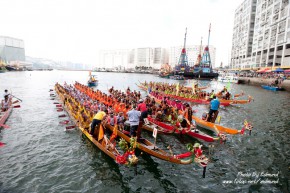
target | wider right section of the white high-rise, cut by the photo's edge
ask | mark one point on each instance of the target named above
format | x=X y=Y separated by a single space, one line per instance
x=271 y=44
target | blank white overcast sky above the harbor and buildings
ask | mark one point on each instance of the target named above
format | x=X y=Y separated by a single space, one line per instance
x=75 y=30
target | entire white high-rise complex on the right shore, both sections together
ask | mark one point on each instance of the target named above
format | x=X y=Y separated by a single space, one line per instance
x=268 y=35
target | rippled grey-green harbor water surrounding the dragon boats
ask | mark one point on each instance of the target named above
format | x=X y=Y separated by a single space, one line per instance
x=39 y=156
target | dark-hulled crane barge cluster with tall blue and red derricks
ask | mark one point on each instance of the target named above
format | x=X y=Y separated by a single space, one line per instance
x=202 y=69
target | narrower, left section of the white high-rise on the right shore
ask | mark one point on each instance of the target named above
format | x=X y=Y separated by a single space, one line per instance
x=243 y=34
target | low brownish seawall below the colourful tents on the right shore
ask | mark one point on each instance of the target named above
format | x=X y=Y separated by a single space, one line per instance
x=260 y=81
